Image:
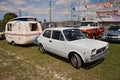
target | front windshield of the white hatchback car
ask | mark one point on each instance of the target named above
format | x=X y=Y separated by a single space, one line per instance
x=73 y=34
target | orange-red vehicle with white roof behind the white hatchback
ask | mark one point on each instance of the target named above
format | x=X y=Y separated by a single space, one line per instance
x=92 y=29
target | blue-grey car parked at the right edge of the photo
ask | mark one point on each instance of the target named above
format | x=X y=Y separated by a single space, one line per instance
x=112 y=34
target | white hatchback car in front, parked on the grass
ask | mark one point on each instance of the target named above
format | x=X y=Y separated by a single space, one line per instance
x=71 y=44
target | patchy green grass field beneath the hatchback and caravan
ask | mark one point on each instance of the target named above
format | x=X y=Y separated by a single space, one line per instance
x=27 y=63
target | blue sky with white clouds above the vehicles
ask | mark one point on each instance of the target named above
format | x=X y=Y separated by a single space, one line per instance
x=60 y=9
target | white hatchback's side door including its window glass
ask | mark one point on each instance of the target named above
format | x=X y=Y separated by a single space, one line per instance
x=58 y=44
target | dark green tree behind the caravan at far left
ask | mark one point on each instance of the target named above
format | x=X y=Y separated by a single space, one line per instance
x=7 y=17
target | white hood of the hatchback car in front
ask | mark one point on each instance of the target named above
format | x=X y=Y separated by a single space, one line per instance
x=89 y=43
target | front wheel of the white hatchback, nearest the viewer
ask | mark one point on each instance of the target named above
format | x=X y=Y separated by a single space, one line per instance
x=76 y=61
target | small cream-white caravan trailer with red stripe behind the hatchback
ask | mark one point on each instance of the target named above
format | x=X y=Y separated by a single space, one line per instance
x=22 y=30
